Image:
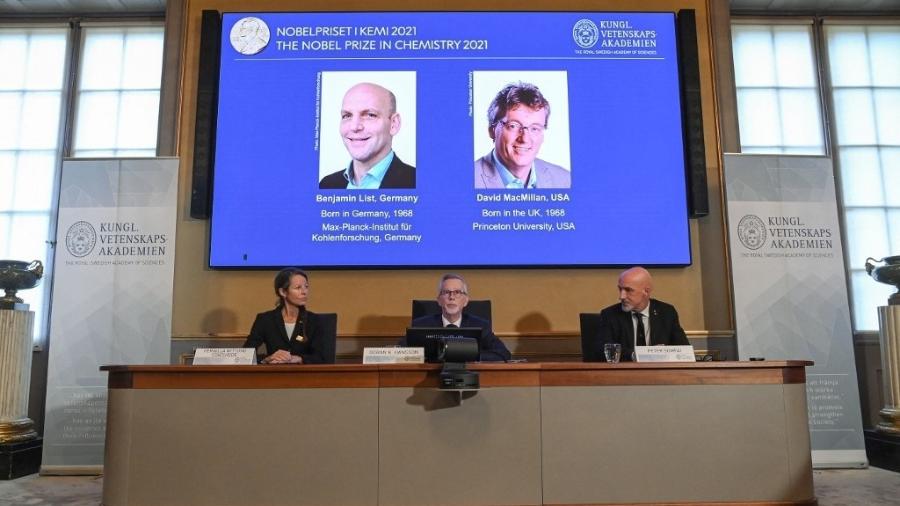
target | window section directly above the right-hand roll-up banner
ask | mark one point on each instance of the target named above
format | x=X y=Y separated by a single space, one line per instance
x=777 y=89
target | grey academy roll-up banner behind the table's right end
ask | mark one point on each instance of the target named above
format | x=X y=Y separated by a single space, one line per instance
x=790 y=289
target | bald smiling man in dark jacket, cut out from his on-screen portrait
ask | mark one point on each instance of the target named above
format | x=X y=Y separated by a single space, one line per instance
x=369 y=122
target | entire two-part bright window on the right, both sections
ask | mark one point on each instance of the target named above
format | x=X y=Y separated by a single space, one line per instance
x=774 y=61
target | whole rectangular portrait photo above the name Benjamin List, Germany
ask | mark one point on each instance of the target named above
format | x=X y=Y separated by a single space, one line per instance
x=367 y=131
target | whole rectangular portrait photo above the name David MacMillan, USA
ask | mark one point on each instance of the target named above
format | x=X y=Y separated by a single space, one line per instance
x=521 y=128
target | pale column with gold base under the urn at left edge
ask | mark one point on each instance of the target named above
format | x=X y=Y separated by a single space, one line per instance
x=15 y=375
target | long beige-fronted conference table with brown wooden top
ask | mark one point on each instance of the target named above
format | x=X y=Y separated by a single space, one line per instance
x=713 y=433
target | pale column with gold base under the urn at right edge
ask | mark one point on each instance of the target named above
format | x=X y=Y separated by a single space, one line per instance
x=889 y=327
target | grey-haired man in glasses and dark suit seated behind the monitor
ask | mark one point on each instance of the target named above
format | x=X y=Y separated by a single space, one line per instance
x=453 y=295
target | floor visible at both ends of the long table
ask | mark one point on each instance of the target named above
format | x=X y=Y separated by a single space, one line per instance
x=845 y=487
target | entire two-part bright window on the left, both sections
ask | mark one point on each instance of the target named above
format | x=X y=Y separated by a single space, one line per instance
x=117 y=98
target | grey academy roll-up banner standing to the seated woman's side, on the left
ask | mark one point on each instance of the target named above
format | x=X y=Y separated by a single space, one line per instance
x=112 y=295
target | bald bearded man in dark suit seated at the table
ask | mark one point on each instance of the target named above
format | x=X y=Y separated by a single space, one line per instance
x=637 y=320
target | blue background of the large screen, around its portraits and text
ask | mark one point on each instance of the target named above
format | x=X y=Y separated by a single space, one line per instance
x=626 y=206
